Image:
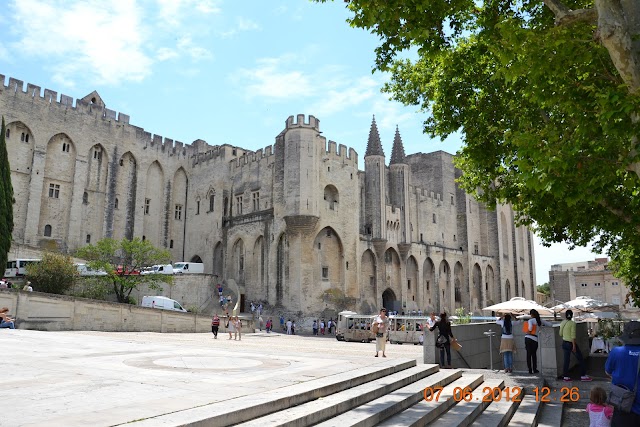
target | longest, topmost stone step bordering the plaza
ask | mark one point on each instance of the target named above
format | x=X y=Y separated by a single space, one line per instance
x=245 y=408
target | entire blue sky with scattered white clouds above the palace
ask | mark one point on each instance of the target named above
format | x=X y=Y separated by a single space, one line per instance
x=223 y=71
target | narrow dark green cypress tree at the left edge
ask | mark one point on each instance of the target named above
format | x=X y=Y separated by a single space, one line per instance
x=6 y=199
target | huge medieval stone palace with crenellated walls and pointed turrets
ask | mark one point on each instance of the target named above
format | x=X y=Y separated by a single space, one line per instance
x=287 y=222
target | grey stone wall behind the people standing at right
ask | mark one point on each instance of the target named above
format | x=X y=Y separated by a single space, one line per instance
x=475 y=348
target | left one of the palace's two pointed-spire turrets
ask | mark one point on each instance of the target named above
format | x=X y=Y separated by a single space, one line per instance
x=374 y=167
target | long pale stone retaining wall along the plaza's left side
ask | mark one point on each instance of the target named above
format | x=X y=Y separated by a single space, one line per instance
x=48 y=312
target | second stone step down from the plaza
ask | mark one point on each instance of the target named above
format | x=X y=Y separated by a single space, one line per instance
x=328 y=407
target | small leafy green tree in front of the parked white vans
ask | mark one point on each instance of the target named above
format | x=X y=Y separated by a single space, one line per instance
x=123 y=260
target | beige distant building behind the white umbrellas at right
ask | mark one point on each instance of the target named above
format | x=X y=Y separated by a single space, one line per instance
x=589 y=278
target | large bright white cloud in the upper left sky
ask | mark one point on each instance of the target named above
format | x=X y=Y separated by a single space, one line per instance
x=92 y=38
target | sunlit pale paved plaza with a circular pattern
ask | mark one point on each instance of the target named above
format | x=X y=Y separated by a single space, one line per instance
x=113 y=378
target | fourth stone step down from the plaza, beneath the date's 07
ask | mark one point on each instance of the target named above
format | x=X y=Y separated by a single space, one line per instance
x=425 y=412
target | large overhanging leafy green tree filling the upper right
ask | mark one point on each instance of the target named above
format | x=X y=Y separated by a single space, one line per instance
x=546 y=96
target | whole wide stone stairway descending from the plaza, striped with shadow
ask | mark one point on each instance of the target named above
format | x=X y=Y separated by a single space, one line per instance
x=391 y=393
